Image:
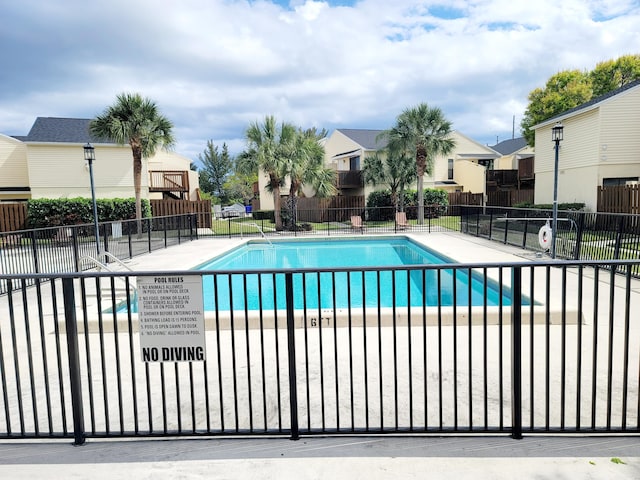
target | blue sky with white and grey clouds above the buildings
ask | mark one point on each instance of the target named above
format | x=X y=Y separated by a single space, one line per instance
x=214 y=66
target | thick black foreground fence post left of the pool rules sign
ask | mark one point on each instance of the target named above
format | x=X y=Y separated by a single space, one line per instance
x=74 y=360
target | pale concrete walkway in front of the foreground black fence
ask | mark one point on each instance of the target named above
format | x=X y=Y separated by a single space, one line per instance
x=353 y=458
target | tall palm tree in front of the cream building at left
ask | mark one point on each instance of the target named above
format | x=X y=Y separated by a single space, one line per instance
x=136 y=121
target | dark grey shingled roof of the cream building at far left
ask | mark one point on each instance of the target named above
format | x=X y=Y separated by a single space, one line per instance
x=61 y=130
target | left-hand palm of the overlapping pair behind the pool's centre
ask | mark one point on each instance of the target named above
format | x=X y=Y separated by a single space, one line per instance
x=268 y=148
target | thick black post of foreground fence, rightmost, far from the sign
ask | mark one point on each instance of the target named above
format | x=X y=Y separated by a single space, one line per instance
x=516 y=353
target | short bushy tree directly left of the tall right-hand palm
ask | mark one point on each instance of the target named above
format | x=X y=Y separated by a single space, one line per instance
x=393 y=169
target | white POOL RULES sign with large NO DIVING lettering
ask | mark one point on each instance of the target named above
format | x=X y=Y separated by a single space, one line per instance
x=171 y=318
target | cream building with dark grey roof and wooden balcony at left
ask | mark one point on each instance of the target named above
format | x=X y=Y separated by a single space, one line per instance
x=49 y=163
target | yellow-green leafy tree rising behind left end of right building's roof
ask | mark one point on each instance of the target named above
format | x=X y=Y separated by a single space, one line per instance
x=563 y=91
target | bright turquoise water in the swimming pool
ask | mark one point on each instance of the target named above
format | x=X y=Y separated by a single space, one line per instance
x=416 y=288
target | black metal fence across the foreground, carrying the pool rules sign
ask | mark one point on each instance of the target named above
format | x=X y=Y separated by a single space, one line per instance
x=546 y=347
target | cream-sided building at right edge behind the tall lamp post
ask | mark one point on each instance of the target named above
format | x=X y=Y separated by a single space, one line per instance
x=601 y=147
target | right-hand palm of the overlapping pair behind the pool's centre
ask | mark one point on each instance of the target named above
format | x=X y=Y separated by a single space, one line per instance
x=305 y=166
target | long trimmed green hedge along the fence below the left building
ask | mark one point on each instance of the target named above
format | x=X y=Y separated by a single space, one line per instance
x=45 y=212
